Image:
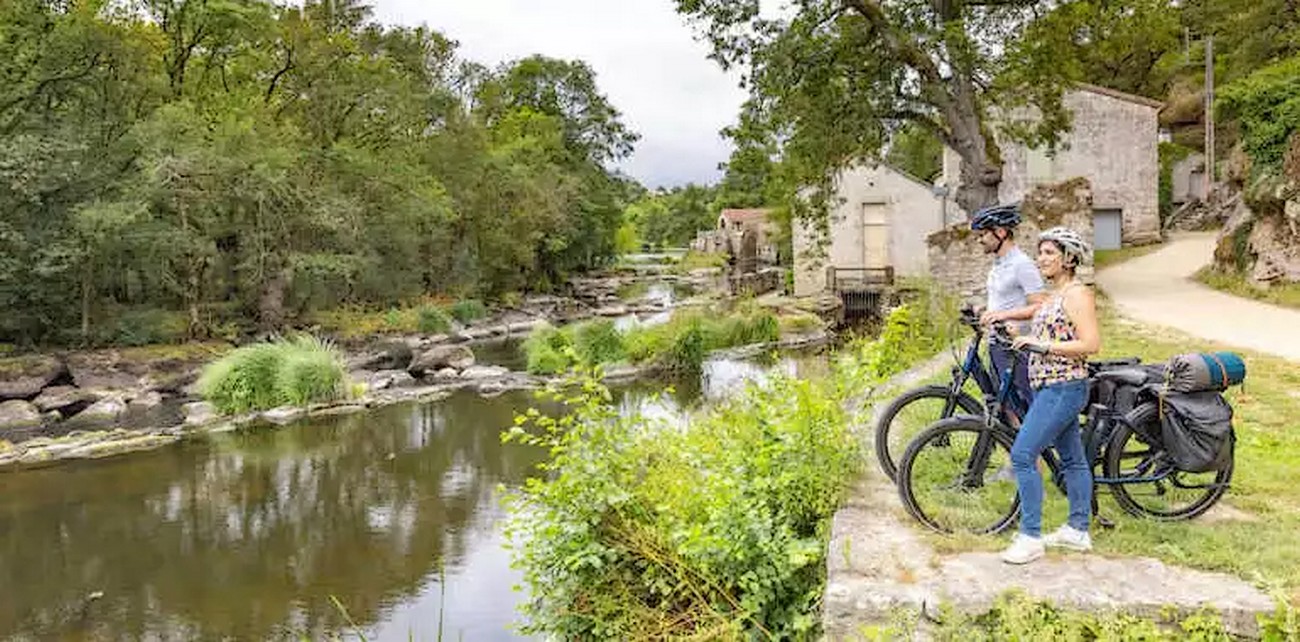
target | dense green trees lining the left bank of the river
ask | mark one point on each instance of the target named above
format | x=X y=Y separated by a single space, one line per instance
x=249 y=162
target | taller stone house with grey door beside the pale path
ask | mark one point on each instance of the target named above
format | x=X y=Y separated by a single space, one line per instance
x=1113 y=145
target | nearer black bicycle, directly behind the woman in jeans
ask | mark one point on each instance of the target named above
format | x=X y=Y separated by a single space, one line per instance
x=956 y=476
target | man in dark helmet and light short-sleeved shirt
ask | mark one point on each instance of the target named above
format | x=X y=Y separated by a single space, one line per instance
x=1015 y=285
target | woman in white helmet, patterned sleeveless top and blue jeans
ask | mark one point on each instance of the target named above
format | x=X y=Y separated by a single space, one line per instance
x=1063 y=336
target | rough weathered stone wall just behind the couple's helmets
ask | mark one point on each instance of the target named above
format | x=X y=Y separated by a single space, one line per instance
x=959 y=263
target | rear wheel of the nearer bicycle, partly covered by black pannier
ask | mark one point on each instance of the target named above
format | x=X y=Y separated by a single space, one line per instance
x=1175 y=494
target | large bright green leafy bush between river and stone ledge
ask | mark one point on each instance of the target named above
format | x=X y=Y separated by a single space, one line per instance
x=717 y=531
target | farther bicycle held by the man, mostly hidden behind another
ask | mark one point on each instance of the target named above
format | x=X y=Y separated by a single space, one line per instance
x=911 y=413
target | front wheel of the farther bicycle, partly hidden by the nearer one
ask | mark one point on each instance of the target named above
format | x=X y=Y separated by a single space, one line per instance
x=911 y=414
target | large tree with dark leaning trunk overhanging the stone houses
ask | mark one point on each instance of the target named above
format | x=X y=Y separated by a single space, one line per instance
x=833 y=80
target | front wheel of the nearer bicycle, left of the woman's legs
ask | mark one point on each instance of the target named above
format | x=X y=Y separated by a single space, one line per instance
x=956 y=476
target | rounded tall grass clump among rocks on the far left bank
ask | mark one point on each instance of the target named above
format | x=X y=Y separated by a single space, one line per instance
x=283 y=372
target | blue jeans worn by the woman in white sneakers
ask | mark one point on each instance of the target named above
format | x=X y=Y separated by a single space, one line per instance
x=1054 y=420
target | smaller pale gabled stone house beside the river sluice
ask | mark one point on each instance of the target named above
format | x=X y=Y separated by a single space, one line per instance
x=879 y=219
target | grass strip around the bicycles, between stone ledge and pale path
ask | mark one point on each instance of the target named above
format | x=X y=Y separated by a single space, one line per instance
x=1253 y=532
